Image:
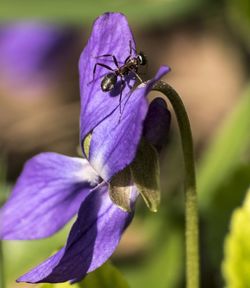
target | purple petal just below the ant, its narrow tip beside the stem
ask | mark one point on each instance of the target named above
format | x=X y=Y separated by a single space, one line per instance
x=115 y=140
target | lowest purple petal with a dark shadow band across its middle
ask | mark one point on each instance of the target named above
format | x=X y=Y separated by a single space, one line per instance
x=92 y=240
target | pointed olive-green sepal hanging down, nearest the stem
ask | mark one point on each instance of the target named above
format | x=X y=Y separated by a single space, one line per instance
x=146 y=174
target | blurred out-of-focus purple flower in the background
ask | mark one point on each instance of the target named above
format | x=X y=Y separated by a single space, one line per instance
x=29 y=52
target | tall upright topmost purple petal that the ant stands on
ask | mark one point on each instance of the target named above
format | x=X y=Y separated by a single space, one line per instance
x=110 y=35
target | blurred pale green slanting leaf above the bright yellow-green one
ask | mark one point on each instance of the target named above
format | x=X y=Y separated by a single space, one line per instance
x=226 y=152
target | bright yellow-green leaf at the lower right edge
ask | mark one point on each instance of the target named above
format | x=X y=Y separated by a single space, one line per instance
x=236 y=265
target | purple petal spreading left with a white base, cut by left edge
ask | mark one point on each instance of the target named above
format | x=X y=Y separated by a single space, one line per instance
x=46 y=196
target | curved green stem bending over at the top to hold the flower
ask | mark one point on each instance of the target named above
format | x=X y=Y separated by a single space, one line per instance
x=191 y=207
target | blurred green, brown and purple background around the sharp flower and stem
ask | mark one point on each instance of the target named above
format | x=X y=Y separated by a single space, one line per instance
x=207 y=45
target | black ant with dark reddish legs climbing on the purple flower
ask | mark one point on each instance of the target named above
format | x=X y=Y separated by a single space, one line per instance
x=131 y=65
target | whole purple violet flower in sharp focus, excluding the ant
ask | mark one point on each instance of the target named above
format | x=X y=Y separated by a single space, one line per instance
x=53 y=188
